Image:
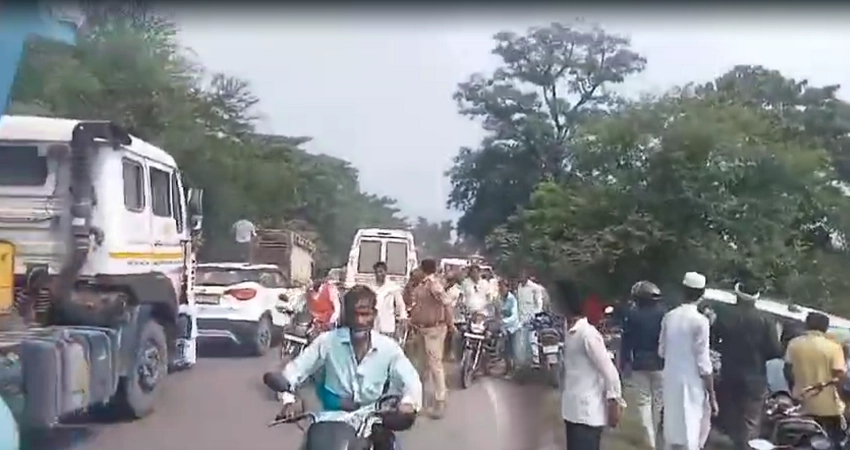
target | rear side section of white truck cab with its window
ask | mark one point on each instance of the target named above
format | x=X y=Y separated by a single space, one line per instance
x=135 y=217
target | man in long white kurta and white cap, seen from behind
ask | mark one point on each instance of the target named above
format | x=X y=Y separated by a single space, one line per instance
x=687 y=381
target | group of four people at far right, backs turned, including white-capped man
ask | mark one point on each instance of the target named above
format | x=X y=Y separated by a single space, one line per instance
x=680 y=388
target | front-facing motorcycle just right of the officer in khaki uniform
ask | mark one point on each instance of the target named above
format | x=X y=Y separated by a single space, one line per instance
x=482 y=346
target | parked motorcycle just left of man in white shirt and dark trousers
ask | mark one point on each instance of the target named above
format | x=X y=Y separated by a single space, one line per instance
x=547 y=341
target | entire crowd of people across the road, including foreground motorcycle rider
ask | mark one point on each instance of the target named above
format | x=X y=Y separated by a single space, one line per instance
x=665 y=352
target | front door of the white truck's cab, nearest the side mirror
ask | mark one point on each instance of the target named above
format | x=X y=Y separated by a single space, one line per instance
x=167 y=252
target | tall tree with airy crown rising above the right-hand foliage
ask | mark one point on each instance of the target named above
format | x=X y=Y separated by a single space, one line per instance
x=551 y=79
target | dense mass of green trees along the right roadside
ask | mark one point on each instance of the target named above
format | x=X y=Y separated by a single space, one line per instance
x=739 y=177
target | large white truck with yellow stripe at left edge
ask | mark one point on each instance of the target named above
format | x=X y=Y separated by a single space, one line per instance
x=96 y=255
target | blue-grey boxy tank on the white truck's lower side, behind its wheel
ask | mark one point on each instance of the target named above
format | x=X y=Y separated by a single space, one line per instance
x=62 y=370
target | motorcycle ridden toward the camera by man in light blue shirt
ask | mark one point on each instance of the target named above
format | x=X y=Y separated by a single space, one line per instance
x=357 y=430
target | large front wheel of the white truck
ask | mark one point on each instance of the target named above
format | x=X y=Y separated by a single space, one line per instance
x=138 y=390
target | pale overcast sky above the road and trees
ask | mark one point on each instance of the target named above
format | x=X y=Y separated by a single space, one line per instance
x=375 y=88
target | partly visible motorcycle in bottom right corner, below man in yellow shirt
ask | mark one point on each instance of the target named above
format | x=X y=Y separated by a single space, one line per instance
x=786 y=426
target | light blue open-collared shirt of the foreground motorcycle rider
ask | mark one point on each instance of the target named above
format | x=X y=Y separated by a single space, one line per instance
x=343 y=377
